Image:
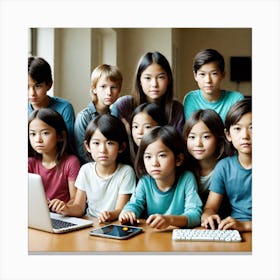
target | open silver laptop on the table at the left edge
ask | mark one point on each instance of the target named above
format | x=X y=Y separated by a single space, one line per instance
x=39 y=216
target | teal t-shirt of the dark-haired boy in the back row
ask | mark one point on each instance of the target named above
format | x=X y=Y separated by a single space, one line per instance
x=194 y=100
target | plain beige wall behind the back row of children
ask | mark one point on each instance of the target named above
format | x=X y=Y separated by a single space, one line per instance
x=75 y=52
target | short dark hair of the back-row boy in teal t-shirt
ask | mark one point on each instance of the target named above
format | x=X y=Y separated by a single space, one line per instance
x=207 y=56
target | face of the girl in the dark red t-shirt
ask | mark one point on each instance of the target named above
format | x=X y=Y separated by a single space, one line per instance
x=43 y=138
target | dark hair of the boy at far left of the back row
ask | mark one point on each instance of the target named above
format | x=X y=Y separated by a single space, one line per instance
x=39 y=70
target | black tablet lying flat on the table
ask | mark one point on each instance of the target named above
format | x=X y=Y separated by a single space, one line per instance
x=116 y=231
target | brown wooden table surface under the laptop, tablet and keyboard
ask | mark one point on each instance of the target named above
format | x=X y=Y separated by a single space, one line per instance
x=150 y=241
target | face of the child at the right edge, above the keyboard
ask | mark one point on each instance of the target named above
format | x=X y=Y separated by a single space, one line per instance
x=240 y=134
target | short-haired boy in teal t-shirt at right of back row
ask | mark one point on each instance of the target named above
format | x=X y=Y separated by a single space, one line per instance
x=209 y=71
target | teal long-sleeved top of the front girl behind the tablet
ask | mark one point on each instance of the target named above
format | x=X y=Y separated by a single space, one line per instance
x=181 y=199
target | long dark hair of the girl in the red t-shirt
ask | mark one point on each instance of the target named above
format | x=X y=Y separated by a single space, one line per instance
x=55 y=120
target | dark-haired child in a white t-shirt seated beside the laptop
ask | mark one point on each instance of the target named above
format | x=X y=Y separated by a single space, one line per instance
x=105 y=184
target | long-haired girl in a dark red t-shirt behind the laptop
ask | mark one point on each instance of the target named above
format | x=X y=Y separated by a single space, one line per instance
x=51 y=157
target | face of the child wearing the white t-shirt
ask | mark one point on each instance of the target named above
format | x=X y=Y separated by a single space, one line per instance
x=102 y=150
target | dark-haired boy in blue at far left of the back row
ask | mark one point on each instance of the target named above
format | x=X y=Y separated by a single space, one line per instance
x=39 y=82
